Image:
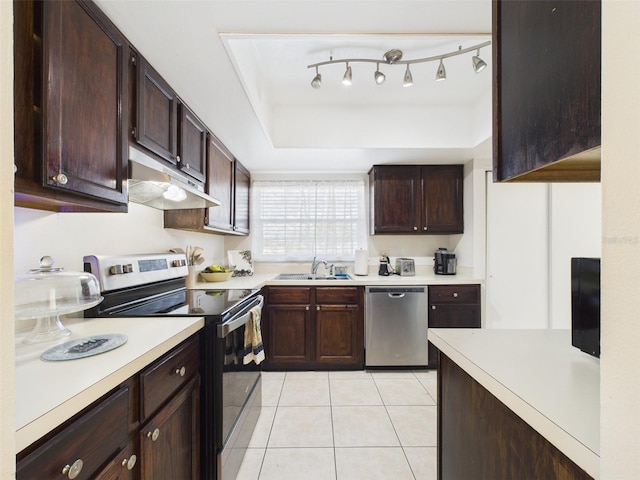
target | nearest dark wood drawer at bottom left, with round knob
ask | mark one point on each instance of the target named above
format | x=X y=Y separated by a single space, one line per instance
x=76 y=445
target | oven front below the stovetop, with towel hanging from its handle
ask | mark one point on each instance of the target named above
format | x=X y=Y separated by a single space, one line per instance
x=241 y=394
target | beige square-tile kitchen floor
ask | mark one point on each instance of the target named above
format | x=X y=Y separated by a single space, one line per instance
x=364 y=425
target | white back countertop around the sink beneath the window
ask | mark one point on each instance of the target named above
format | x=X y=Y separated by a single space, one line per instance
x=423 y=277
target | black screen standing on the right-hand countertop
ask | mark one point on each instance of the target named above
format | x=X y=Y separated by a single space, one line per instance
x=585 y=305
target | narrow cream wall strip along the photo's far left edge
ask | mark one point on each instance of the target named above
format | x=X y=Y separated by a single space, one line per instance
x=7 y=400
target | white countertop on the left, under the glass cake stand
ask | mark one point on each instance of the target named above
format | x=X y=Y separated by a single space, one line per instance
x=48 y=393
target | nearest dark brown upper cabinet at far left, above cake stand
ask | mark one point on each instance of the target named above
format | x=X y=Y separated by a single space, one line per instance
x=70 y=103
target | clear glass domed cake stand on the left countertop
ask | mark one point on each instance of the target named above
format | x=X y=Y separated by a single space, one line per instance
x=47 y=292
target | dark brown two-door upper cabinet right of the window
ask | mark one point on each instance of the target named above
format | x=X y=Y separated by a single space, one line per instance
x=416 y=199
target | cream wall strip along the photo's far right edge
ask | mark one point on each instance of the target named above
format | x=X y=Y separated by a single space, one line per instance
x=619 y=379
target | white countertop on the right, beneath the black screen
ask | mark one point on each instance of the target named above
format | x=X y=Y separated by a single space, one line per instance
x=539 y=375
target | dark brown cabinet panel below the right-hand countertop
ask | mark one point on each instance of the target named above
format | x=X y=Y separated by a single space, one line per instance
x=479 y=437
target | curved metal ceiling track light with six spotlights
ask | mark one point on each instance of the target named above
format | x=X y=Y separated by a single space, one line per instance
x=394 y=57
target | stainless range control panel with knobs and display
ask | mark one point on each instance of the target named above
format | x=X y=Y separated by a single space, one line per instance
x=116 y=272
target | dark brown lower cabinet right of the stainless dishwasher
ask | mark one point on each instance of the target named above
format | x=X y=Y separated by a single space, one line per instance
x=452 y=306
